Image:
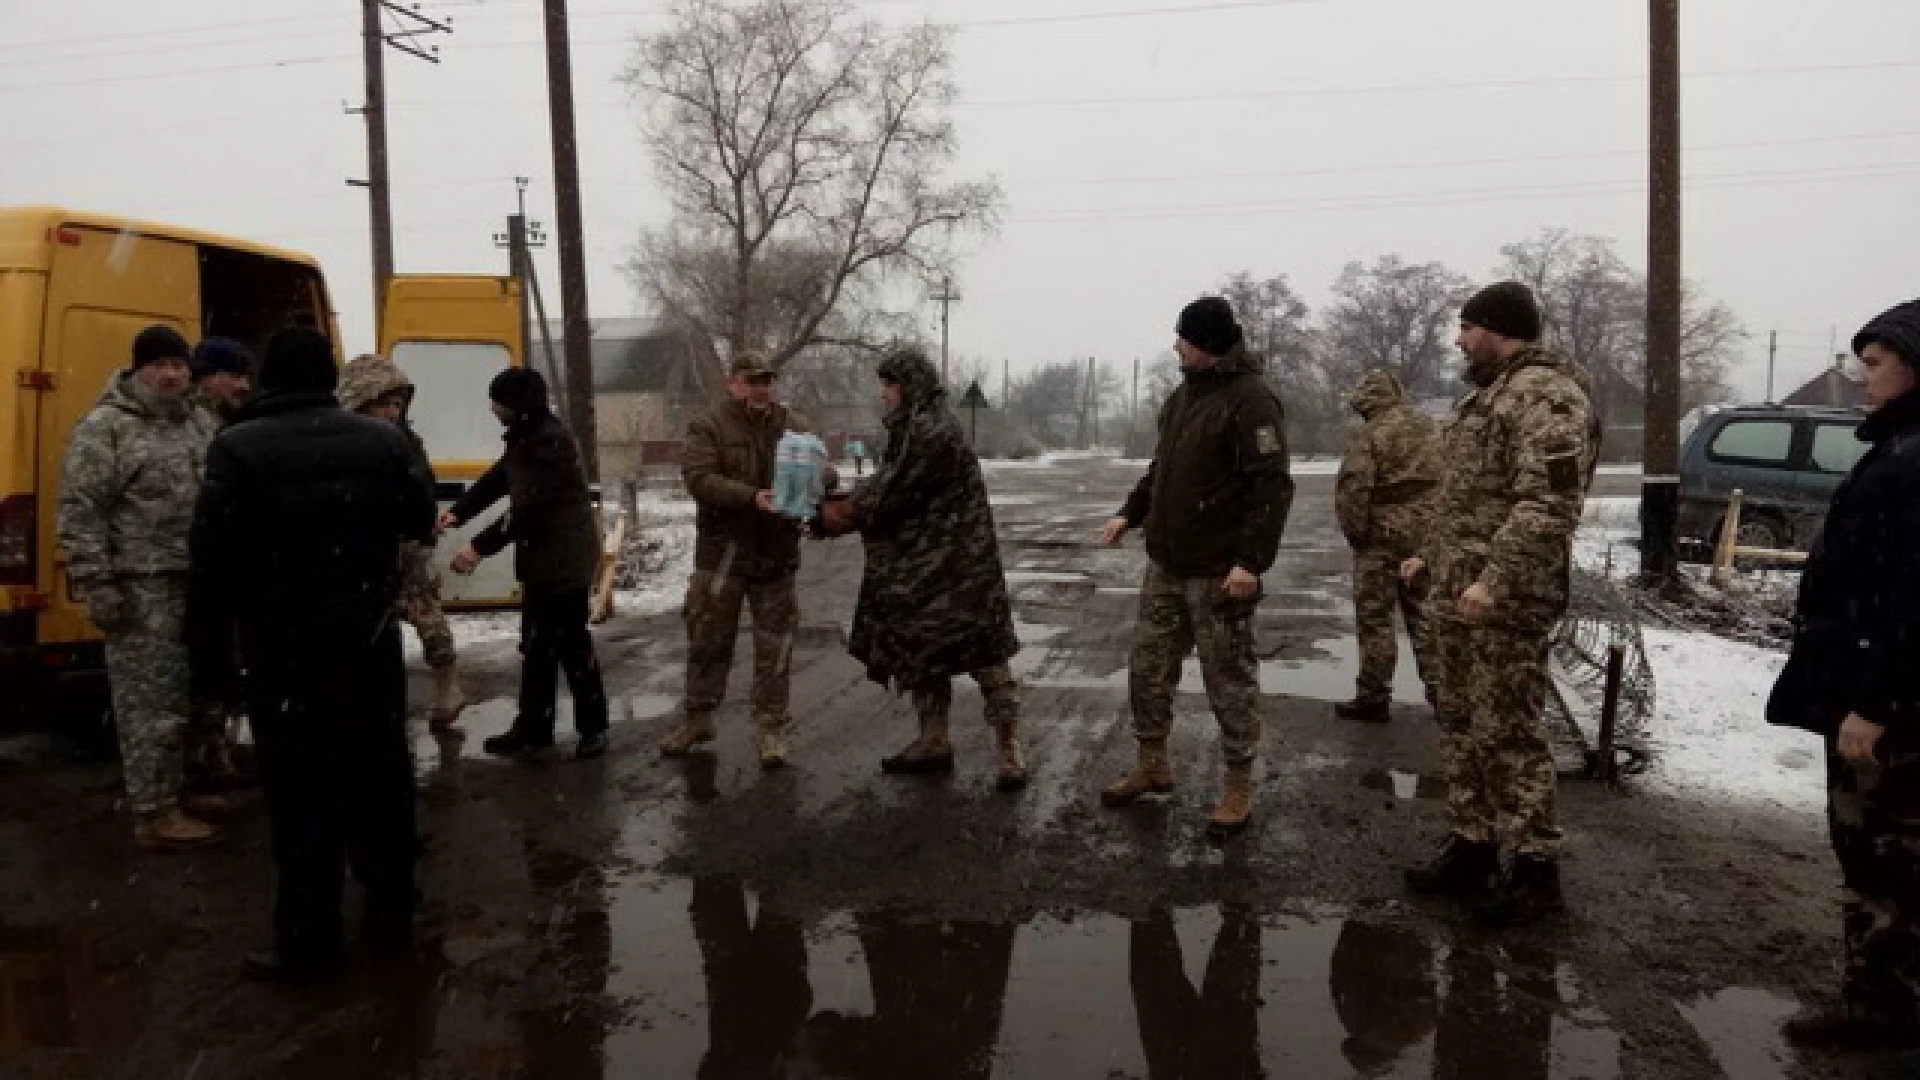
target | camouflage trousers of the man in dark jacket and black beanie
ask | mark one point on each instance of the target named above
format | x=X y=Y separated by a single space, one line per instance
x=1178 y=616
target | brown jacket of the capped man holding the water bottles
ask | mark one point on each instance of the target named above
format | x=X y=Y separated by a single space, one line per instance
x=729 y=460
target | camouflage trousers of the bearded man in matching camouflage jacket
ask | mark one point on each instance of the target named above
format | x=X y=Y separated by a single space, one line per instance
x=1493 y=685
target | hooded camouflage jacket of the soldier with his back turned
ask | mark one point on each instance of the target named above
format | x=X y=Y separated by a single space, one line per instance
x=1391 y=470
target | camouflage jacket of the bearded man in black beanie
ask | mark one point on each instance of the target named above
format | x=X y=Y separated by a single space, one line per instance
x=1518 y=462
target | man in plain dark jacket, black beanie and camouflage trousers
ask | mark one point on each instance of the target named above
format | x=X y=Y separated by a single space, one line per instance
x=1214 y=504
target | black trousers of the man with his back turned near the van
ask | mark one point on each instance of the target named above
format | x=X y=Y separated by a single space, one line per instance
x=337 y=772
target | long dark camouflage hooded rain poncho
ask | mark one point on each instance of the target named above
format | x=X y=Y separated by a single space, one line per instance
x=934 y=597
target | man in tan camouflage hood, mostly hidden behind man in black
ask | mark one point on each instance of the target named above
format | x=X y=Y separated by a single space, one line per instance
x=375 y=387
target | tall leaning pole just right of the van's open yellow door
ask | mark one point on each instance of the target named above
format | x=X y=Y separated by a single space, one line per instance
x=579 y=330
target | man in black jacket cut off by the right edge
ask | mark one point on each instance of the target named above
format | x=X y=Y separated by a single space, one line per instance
x=1854 y=677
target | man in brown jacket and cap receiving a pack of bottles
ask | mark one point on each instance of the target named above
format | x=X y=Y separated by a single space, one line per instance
x=744 y=554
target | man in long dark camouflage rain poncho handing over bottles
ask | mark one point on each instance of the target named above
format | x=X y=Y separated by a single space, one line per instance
x=934 y=597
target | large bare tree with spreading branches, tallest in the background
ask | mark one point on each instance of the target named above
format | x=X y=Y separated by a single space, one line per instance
x=805 y=151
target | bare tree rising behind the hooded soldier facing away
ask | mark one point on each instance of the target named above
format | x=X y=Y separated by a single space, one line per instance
x=1397 y=316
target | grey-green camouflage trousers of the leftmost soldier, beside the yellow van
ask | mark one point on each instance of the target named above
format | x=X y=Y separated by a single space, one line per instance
x=147 y=670
